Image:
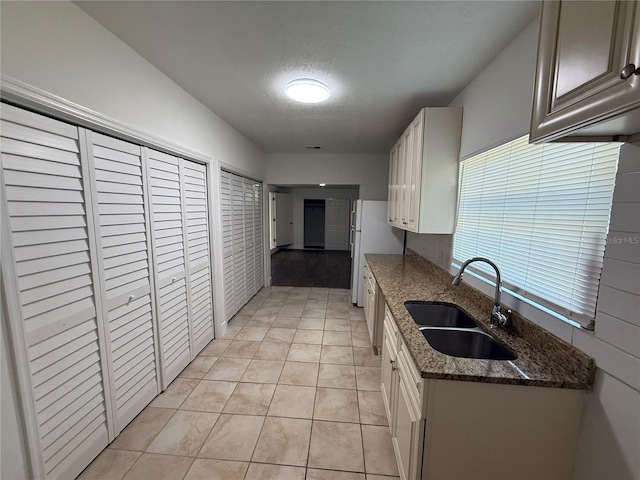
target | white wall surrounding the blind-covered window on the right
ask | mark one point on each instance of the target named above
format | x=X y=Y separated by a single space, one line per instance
x=497 y=107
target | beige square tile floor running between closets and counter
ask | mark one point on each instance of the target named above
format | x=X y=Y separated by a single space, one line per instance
x=291 y=392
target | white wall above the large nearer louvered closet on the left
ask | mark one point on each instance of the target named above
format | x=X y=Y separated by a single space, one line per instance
x=57 y=47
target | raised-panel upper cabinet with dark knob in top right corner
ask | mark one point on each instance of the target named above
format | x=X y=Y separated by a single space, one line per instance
x=588 y=70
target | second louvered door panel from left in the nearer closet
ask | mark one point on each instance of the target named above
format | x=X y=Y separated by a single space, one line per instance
x=125 y=273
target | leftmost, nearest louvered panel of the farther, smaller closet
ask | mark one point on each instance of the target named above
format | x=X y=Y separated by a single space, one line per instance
x=226 y=213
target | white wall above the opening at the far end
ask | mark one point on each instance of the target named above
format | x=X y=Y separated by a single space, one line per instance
x=371 y=172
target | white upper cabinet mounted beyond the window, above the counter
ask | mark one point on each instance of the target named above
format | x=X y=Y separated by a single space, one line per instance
x=423 y=172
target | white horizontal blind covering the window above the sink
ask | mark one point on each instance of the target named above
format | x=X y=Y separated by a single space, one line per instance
x=541 y=212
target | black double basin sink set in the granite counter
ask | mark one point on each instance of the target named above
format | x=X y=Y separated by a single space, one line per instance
x=451 y=331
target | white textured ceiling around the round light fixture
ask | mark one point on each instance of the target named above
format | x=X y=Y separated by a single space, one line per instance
x=382 y=60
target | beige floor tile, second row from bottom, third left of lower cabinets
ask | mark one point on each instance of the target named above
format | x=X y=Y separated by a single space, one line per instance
x=283 y=441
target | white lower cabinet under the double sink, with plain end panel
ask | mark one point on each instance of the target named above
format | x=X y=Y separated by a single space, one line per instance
x=446 y=429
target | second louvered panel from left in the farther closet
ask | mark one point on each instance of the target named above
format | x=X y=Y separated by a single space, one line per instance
x=238 y=229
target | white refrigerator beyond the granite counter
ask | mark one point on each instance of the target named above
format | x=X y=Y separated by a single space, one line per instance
x=370 y=233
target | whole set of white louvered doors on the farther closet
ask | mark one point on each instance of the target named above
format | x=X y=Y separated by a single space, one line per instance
x=242 y=240
